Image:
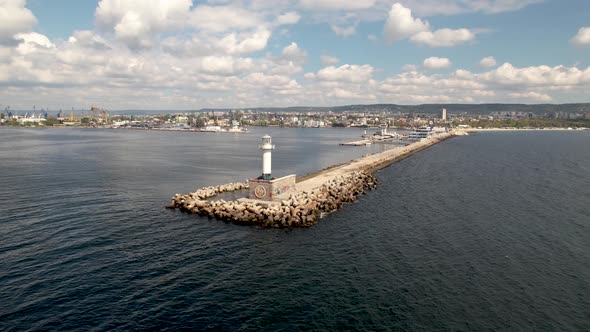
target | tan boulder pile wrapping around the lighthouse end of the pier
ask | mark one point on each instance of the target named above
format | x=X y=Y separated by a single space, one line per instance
x=300 y=209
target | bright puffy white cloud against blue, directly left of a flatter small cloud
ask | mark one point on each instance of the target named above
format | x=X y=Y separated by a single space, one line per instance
x=400 y=24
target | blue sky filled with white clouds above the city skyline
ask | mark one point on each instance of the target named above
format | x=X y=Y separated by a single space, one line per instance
x=186 y=55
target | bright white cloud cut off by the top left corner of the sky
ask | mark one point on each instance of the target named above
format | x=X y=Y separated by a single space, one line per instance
x=14 y=18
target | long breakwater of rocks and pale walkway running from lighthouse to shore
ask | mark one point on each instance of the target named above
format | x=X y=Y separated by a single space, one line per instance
x=325 y=192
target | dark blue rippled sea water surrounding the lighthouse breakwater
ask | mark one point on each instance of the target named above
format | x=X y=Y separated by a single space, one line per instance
x=484 y=232
